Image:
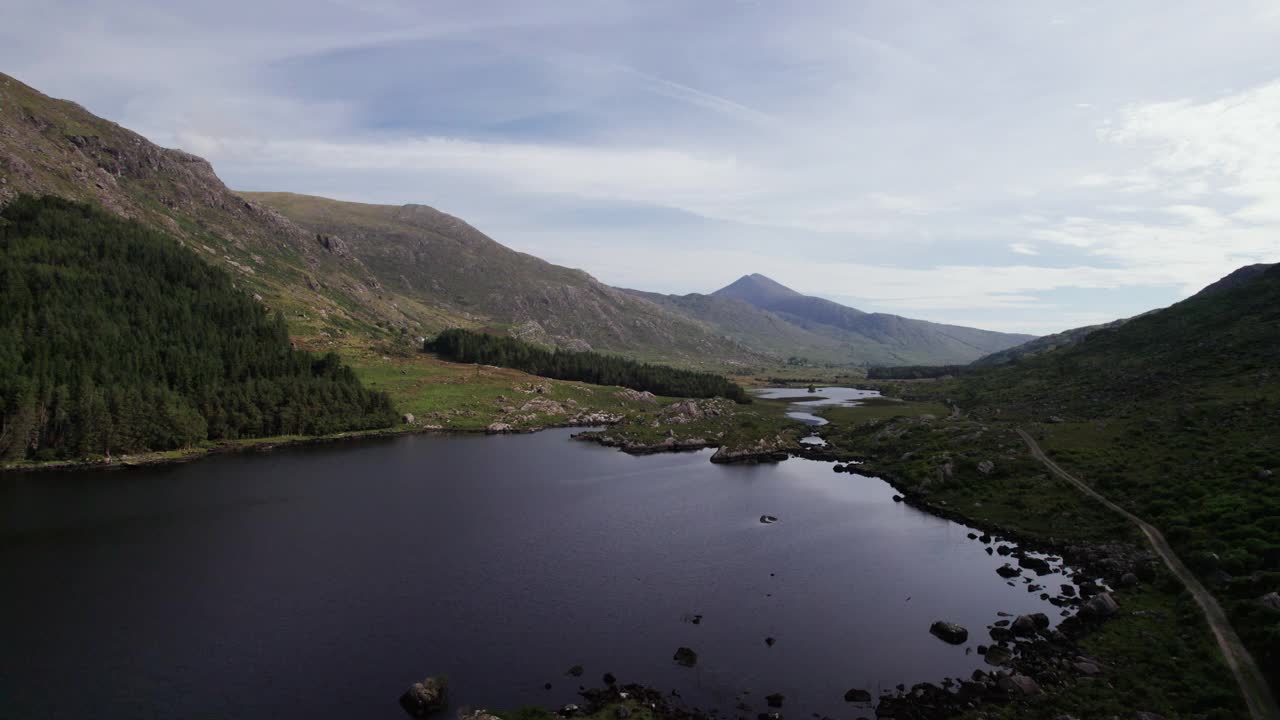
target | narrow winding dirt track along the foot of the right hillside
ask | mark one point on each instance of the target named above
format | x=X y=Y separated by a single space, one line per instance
x=1254 y=686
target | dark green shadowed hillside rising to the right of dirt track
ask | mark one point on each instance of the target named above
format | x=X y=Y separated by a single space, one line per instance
x=1174 y=416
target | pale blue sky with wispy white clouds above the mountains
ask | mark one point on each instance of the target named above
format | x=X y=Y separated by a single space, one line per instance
x=1016 y=166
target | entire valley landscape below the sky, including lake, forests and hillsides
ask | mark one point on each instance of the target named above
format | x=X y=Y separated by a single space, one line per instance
x=405 y=513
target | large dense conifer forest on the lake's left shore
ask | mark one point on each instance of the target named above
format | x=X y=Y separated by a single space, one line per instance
x=116 y=340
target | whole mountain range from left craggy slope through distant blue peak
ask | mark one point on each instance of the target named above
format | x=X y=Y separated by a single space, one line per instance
x=342 y=271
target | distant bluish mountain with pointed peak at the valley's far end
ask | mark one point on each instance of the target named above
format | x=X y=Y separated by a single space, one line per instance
x=772 y=318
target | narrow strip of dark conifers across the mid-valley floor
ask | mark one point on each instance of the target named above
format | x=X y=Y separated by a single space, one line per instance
x=468 y=347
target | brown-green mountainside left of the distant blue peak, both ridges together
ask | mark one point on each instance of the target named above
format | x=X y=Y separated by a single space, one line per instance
x=345 y=272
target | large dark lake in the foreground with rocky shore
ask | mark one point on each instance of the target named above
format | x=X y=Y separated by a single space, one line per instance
x=321 y=582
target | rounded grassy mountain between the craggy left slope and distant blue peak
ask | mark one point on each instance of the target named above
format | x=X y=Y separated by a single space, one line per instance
x=442 y=262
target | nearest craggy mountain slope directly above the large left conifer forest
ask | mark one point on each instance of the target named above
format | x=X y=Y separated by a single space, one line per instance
x=57 y=148
